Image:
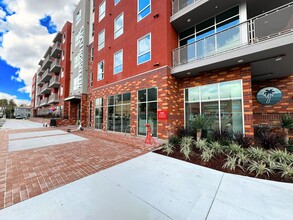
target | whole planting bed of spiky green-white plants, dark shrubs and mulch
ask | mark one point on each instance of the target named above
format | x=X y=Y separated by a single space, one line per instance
x=267 y=155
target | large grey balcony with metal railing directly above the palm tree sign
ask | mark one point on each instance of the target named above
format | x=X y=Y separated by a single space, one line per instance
x=258 y=41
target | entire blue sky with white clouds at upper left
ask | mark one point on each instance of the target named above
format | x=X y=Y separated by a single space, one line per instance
x=27 y=28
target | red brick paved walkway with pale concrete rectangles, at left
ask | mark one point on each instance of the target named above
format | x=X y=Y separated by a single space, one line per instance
x=34 y=159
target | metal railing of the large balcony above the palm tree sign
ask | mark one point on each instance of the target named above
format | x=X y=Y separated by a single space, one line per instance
x=244 y=34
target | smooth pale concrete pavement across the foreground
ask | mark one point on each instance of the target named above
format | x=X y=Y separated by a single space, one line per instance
x=153 y=186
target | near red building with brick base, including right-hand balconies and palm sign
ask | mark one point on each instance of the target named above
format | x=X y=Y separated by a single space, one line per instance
x=160 y=62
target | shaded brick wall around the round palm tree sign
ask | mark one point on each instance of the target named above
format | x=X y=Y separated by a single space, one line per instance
x=270 y=114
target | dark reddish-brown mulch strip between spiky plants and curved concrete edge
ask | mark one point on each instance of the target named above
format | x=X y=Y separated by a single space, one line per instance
x=217 y=163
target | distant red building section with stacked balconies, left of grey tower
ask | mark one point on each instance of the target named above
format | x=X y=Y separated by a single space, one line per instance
x=53 y=77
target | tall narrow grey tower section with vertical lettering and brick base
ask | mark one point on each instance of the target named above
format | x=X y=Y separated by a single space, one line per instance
x=81 y=36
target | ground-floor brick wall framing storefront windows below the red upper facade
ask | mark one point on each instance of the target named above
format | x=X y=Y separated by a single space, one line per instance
x=160 y=78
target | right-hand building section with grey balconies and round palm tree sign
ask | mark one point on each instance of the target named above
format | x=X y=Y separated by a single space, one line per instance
x=234 y=61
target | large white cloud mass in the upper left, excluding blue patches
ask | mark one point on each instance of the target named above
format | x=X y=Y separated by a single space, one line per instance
x=26 y=41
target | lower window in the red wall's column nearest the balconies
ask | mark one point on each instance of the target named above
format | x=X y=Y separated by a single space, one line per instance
x=144 y=49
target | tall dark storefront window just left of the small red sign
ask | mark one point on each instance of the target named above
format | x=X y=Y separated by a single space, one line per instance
x=147 y=110
